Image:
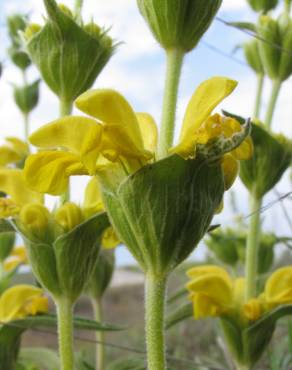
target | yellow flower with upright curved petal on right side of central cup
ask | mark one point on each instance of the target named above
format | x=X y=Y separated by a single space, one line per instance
x=200 y=127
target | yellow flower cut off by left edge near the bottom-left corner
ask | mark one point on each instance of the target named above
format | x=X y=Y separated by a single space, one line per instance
x=21 y=301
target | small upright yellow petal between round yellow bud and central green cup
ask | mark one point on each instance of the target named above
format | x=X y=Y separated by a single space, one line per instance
x=92 y=203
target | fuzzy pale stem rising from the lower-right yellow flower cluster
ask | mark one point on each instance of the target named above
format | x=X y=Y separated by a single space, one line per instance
x=253 y=237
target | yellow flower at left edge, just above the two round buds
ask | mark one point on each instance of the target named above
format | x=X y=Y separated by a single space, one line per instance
x=18 y=194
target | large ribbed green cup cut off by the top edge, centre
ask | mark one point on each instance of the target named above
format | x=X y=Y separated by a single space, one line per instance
x=178 y=24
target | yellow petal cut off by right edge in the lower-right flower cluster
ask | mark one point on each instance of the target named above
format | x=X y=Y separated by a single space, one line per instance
x=278 y=288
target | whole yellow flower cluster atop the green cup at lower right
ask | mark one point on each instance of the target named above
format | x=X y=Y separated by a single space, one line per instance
x=215 y=293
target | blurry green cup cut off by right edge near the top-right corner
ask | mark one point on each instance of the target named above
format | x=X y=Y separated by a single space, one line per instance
x=275 y=51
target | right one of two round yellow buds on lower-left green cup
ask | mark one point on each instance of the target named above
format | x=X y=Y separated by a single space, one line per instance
x=68 y=216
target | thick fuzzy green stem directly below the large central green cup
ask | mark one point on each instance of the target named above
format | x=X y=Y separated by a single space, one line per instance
x=154 y=317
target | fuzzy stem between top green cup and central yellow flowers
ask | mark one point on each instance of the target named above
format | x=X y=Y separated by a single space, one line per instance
x=174 y=58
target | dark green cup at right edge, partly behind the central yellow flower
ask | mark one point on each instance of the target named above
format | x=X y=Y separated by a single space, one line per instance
x=272 y=156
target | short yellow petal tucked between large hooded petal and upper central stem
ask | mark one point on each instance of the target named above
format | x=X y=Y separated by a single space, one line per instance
x=149 y=131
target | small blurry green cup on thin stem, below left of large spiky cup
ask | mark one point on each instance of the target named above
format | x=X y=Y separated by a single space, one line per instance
x=26 y=97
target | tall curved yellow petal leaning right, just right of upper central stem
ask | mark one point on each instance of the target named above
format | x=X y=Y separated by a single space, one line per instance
x=208 y=95
